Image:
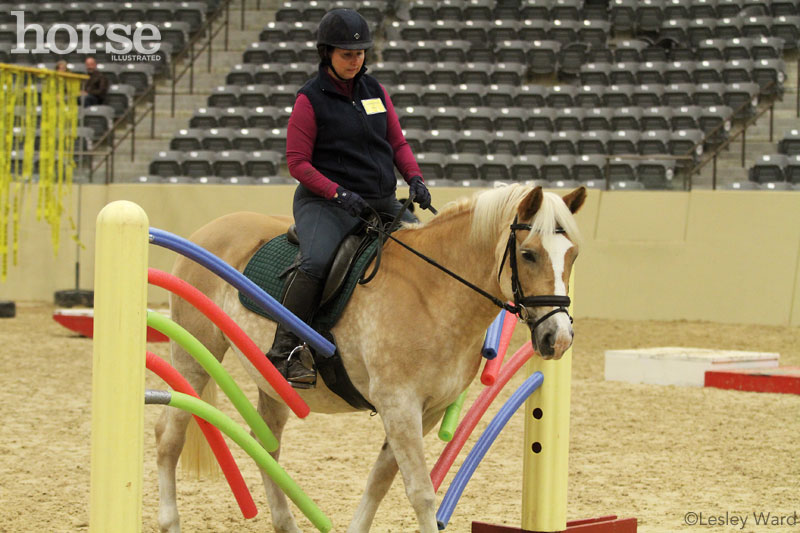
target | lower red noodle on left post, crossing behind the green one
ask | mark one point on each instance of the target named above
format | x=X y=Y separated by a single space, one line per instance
x=174 y=379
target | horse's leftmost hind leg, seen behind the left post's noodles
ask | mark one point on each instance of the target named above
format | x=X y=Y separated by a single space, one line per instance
x=171 y=426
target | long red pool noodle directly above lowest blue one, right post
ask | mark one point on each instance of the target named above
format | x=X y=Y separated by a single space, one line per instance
x=475 y=413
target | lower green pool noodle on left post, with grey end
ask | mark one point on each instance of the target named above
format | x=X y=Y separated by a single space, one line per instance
x=263 y=459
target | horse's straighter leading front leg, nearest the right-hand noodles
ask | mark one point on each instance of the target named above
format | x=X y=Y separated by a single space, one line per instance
x=402 y=420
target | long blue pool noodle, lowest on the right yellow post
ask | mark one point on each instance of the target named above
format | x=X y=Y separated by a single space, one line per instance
x=485 y=441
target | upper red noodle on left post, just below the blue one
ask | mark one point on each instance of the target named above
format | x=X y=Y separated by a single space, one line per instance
x=203 y=303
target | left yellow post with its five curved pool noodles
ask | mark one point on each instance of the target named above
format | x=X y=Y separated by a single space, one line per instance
x=121 y=276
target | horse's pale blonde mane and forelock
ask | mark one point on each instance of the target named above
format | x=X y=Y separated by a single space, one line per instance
x=495 y=209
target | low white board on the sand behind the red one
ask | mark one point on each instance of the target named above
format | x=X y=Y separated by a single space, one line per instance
x=679 y=366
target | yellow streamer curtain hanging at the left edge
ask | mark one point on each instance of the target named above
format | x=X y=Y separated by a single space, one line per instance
x=51 y=99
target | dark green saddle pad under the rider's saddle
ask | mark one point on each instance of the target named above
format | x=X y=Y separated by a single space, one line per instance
x=276 y=257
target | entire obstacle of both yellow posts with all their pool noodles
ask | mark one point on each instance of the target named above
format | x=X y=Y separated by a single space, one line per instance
x=122 y=237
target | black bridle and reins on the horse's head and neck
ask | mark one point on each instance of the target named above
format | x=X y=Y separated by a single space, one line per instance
x=521 y=302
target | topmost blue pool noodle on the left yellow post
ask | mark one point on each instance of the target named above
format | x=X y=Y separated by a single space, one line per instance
x=202 y=256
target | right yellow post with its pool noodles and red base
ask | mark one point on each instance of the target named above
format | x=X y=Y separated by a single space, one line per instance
x=547 y=408
